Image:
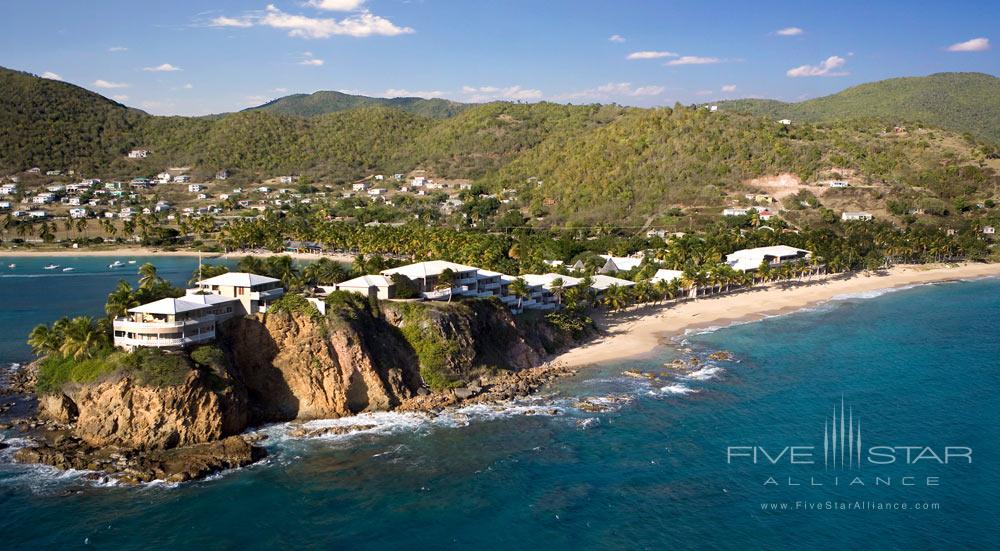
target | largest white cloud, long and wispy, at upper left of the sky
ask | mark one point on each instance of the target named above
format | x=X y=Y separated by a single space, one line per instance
x=358 y=25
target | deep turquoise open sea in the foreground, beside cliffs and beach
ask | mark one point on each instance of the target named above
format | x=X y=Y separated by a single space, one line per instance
x=918 y=367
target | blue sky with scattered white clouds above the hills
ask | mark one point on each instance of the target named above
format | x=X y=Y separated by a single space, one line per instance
x=184 y=57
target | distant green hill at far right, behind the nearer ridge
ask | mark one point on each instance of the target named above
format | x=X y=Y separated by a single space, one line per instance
x=961 y=102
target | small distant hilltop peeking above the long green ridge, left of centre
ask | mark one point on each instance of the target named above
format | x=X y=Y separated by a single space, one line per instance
x=323 y=102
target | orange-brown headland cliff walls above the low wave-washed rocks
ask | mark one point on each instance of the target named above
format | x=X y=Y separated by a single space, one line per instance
x=297 y=365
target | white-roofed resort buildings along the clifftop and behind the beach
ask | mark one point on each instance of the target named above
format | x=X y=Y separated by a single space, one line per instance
x=177 y=323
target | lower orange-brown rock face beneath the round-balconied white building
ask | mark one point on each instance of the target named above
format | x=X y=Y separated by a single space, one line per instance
x=119 y=412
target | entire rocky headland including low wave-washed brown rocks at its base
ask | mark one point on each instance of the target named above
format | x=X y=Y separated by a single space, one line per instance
x=283 y=366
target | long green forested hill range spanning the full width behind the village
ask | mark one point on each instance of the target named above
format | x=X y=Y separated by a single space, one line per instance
x=569 y=164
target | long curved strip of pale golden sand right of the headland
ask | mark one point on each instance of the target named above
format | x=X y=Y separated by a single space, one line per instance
x=640 y=332
